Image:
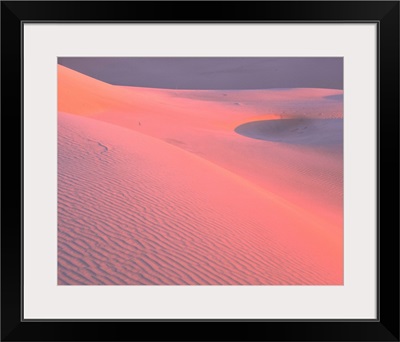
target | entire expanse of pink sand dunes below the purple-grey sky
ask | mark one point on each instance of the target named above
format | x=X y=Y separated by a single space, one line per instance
x=164 y=186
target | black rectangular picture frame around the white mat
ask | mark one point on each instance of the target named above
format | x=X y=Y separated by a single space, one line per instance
x=15 y=328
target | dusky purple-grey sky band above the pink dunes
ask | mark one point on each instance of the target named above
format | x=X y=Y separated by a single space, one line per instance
x=212 y=72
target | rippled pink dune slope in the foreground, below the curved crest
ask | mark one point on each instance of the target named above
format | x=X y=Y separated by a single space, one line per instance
x=135 y=210
